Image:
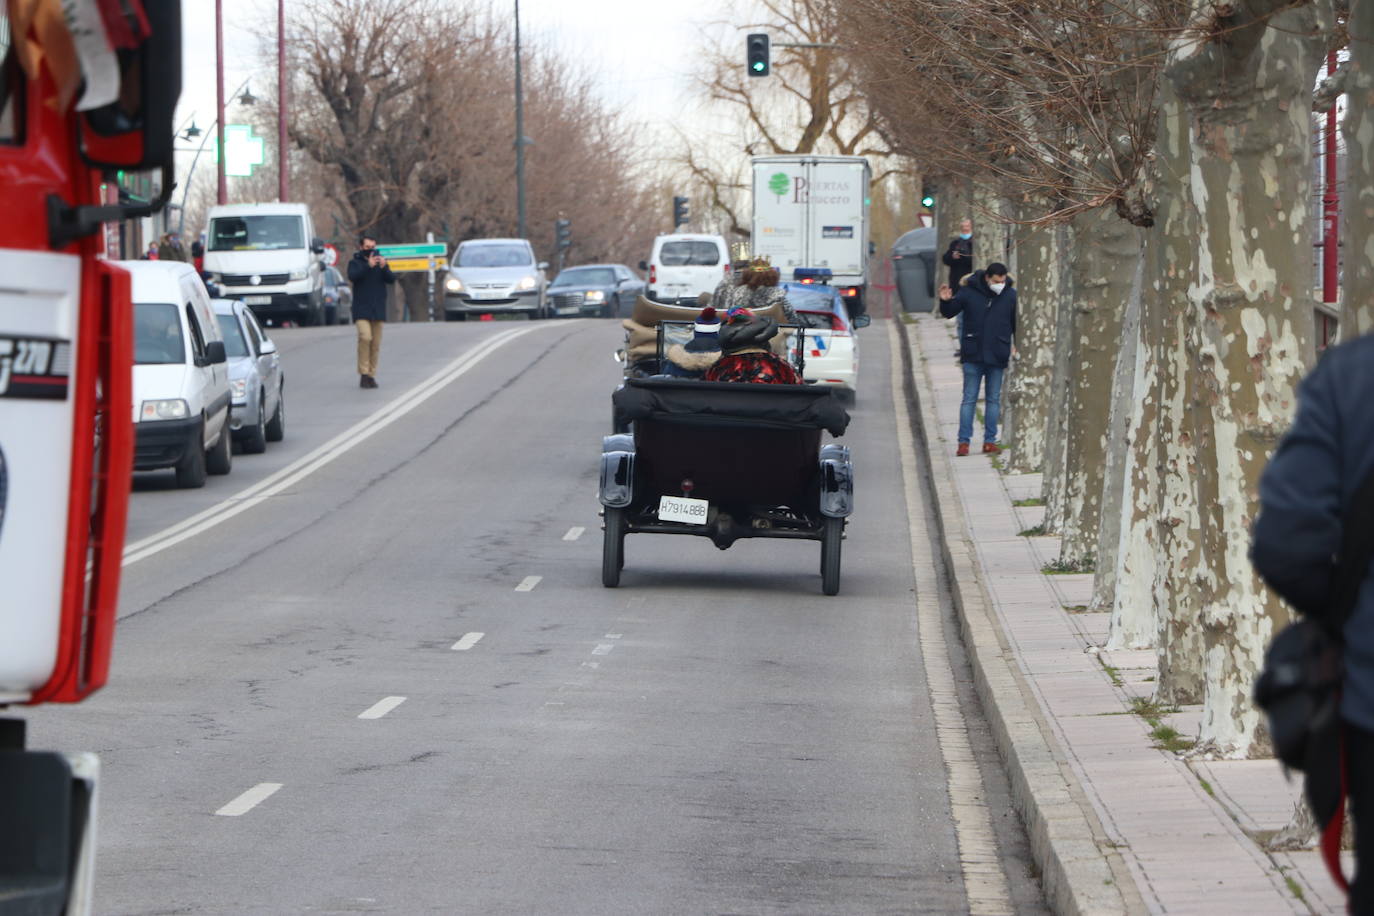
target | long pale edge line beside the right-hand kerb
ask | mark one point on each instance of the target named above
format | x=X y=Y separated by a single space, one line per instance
x=984 y=882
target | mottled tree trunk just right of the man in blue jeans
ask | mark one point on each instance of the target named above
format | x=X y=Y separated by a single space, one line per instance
x=1039 y=262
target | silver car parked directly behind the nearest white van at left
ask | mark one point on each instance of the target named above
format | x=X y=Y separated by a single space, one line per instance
x=258 y=385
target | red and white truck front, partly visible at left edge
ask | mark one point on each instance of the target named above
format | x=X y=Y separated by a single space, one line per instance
x=87 y=89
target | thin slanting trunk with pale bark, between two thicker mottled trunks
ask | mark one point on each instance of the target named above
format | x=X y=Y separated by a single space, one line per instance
x=1125 y=409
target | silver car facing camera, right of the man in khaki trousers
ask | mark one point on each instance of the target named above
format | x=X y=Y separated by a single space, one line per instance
x=494 y=277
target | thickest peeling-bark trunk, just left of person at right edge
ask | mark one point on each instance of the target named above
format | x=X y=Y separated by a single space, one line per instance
x=1248 y=98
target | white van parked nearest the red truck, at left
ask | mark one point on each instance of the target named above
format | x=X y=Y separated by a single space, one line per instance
x=181 y=374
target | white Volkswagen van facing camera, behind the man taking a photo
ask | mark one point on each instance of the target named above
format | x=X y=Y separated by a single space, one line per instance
x=267 y=256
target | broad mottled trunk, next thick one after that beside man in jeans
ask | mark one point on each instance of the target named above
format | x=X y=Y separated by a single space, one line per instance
x=1103 y=266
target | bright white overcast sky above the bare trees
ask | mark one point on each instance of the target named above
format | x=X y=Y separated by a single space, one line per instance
x=641 y=50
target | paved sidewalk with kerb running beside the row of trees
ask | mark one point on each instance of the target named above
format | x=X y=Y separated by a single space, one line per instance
x=1175 y=837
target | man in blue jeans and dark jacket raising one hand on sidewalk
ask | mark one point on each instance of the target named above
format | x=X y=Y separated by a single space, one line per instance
x=987 y=301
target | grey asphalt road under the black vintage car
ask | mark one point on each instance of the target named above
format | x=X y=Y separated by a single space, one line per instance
x=715 y=737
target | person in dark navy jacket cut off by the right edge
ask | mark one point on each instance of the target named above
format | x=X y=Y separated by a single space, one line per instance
x=1306 y=494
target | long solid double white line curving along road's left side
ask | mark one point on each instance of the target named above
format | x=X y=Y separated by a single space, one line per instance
x=307 y=465
